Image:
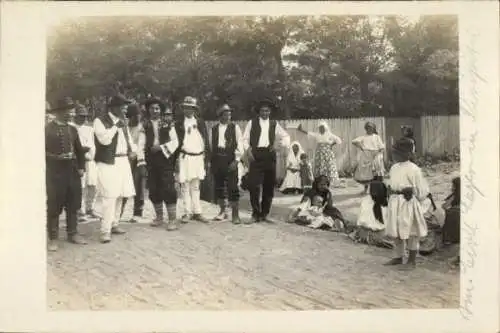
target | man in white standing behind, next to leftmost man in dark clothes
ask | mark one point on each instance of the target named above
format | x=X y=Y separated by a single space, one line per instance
x=89 y=180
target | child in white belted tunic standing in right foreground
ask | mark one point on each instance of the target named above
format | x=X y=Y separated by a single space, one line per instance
x=405 y=217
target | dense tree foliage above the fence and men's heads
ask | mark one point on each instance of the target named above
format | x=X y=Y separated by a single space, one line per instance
x=329 y=66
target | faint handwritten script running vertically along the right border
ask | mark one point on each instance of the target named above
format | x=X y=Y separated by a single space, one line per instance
x=470 y=190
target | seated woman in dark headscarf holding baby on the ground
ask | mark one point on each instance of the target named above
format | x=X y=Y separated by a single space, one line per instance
x=318 y=198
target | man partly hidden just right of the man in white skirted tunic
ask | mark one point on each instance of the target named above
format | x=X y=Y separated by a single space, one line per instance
x=138 y=165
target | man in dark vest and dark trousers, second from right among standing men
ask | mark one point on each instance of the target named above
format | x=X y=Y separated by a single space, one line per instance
x=227 y=150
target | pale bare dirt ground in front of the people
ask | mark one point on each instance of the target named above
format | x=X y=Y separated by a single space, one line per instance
x=221 y=266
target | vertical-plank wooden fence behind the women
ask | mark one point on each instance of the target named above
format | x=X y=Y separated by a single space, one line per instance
x=439 y=134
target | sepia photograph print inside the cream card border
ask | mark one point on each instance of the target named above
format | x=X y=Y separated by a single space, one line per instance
x=253 y=163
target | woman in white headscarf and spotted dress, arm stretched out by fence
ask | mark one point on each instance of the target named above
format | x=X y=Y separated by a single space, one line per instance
x=324 y=158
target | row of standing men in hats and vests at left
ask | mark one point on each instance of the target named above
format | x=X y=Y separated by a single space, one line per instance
x=108 y=161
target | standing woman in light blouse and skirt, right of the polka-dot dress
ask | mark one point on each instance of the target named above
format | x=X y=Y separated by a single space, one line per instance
x=371 y=157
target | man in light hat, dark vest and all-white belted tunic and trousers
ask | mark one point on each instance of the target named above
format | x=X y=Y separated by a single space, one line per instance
x=192 y=157
